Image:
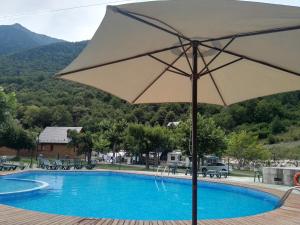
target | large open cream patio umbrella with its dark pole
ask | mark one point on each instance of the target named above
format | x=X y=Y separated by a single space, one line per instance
x=210 y=51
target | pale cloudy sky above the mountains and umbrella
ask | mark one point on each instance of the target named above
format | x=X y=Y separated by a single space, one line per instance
x=71 y=20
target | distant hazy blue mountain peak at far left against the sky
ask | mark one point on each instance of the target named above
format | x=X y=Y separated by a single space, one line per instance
x=15 y=38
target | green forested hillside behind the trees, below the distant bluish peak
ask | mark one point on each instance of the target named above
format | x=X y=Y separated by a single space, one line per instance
x=44 y=100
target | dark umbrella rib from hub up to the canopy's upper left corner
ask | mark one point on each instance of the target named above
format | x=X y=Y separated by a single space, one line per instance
x=133 y=16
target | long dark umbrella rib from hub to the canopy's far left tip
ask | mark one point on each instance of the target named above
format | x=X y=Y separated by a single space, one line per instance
x=121 y=60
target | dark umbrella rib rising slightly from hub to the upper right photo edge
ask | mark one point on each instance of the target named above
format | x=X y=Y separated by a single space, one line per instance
x=254 y=33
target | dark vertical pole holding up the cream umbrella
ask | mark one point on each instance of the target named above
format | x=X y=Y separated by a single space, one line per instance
x=194 y=132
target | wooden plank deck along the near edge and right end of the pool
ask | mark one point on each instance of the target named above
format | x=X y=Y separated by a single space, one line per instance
x=288 y=214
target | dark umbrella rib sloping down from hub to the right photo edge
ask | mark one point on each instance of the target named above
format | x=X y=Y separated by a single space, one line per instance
x=253 y=60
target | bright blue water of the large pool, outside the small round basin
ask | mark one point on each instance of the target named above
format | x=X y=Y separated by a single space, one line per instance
x=126 y=196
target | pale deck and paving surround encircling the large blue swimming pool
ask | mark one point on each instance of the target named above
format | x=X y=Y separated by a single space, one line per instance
x=289 y=213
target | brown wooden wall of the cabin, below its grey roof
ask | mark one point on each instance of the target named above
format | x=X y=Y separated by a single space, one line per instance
x=55 y=150
